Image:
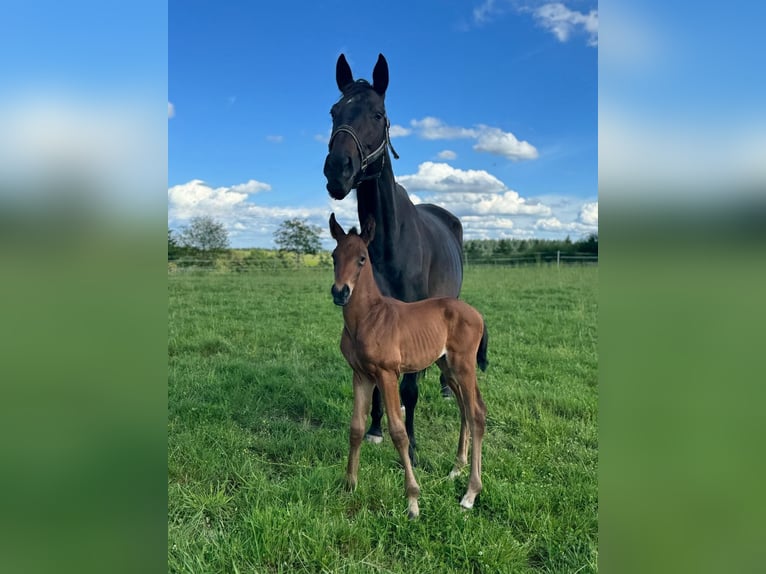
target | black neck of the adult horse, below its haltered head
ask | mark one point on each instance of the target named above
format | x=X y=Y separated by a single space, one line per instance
x=388 y=204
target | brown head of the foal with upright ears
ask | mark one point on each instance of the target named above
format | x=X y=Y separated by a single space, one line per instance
x=349 y=257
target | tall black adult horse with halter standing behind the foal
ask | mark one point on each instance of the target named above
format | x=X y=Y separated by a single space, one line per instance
x=418 y=249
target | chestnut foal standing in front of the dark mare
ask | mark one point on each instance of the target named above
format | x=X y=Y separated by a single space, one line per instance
x=383 y=338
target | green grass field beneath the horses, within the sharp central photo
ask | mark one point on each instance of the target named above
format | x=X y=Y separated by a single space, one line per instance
x=259 y=403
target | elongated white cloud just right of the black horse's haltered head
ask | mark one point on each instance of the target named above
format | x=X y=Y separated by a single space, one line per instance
x=488 y=139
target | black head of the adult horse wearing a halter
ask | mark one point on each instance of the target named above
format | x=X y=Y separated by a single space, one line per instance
x=359 y=129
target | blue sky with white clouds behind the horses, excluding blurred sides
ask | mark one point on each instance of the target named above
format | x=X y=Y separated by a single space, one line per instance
x=493 y=107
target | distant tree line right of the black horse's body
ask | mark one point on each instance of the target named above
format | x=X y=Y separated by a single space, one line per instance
x=477 y=250
